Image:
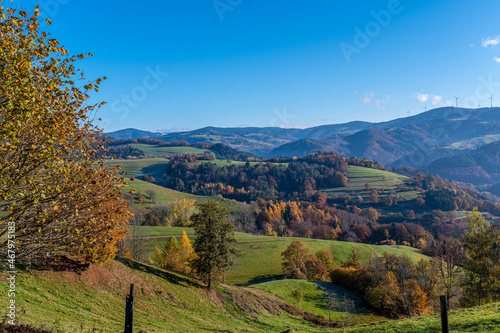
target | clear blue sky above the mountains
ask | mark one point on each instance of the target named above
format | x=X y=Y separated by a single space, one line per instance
x=195 y=63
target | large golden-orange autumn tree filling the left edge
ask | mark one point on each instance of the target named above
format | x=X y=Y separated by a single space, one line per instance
x=54 y=186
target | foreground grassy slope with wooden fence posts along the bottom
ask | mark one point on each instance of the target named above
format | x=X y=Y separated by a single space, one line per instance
x=94 y=301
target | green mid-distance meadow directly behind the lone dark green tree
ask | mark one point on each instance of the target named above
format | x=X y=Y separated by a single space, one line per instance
x=252 y=267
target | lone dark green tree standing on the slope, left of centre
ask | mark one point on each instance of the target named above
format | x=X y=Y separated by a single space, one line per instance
x=213 y=243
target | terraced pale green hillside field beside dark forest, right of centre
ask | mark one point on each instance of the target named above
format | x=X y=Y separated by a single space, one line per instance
x=376 y=179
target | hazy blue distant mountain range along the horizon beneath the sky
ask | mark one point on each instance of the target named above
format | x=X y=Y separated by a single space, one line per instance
x=414 y=141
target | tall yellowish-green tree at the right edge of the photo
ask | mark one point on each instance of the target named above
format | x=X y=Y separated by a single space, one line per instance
x=481 y=243
